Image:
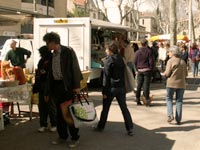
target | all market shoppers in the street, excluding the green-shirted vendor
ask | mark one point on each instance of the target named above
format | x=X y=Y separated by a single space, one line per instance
x=58 y=79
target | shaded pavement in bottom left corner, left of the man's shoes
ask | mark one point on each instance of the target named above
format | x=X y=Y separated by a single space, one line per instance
x=22 y=134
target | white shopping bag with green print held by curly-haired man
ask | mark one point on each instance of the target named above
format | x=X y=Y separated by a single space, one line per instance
x=83 y=112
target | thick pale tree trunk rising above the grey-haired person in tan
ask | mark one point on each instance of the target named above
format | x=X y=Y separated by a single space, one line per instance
x=173 y=20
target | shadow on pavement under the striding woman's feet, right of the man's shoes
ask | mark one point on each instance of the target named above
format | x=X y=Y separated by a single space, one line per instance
x=115 y=137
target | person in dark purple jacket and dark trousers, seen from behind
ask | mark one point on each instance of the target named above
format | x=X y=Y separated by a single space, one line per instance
x=144 y=62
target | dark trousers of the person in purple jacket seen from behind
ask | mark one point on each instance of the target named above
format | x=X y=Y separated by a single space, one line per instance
x=143 y=80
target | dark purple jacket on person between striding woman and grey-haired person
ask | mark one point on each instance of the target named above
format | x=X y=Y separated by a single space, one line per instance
x=144 y=59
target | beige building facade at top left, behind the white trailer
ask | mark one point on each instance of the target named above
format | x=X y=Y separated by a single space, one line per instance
x=16 y=16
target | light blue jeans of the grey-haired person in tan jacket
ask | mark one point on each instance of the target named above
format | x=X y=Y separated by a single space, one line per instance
x=179 y=102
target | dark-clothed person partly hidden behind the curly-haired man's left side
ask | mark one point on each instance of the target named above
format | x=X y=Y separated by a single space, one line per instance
x=46 y=106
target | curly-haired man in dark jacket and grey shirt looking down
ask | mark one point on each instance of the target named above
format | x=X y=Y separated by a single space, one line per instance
x=64 y=82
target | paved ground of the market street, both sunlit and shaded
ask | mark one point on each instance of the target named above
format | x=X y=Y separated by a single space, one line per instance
x=152 y=132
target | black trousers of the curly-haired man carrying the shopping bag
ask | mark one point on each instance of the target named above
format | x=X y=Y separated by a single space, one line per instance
x=60 y=95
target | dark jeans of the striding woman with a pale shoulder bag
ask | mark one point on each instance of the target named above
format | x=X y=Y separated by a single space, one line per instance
x=120 y=95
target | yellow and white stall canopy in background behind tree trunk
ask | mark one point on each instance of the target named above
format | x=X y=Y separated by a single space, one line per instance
x=164 y=37
